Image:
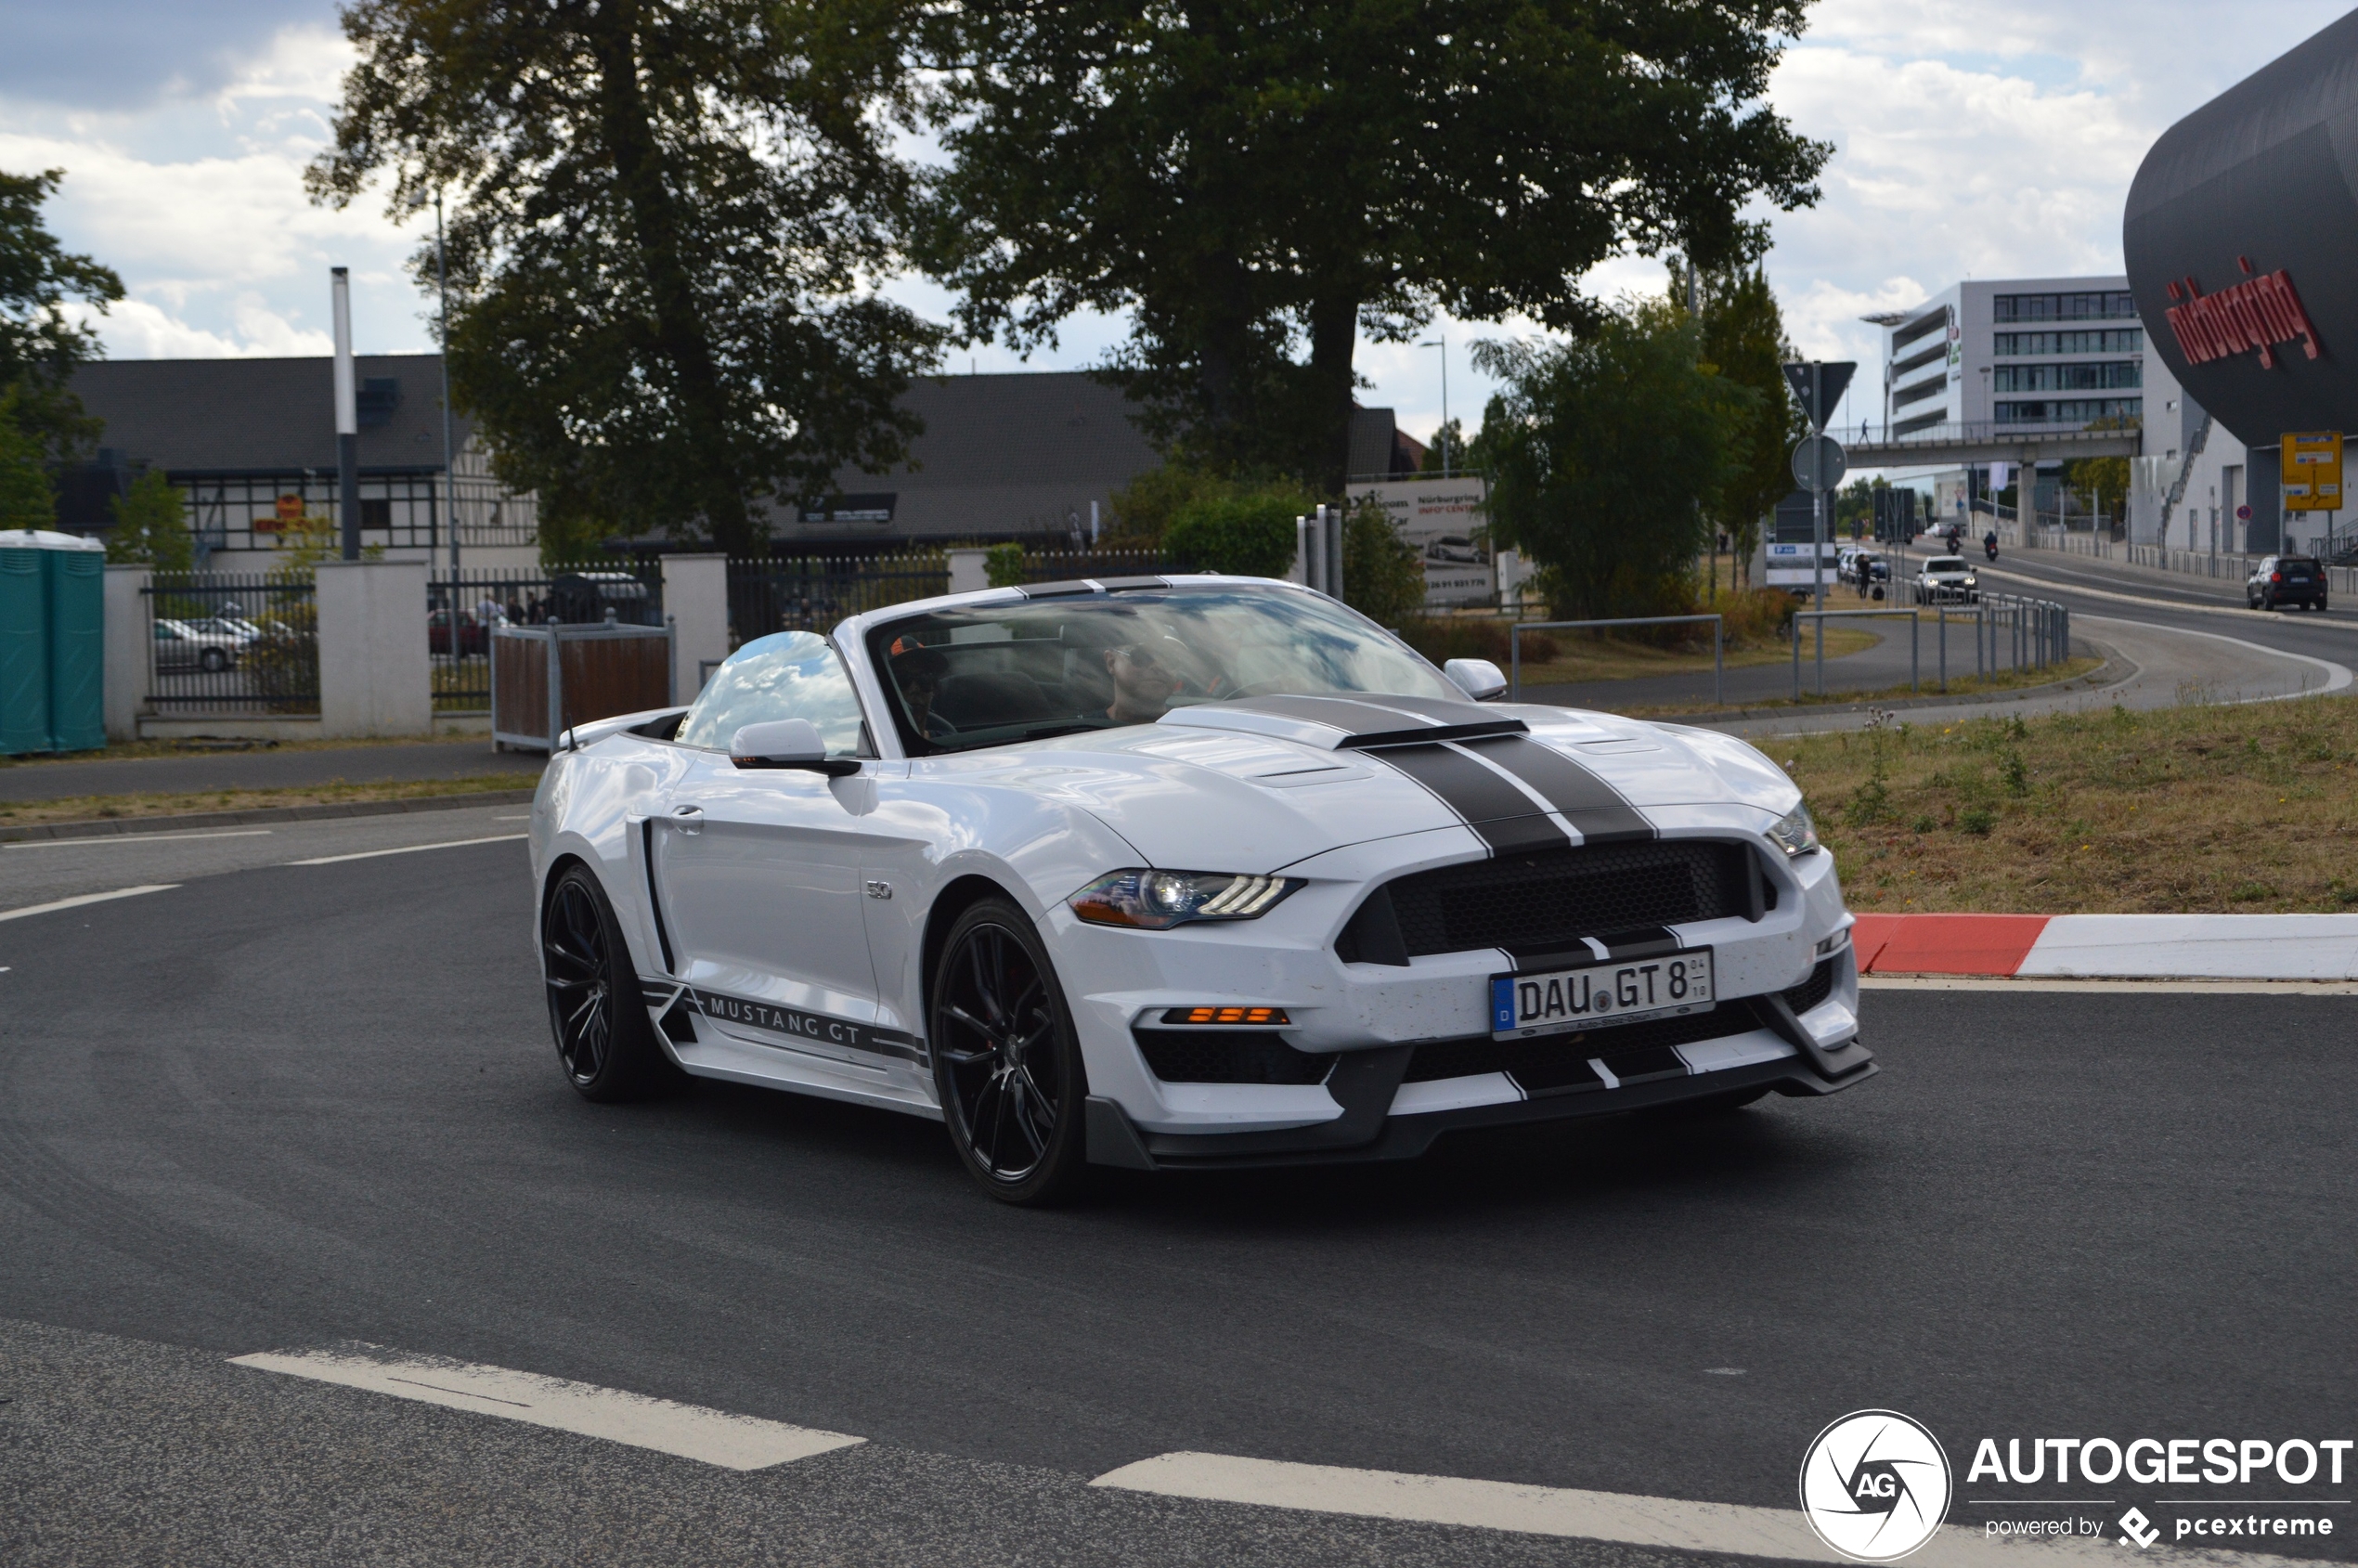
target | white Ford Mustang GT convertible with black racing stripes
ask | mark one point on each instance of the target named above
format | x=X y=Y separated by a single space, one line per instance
x=1178 y=874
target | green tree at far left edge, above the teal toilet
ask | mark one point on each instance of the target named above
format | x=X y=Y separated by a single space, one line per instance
x=39 y=341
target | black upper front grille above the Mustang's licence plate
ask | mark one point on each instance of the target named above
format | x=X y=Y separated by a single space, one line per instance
x=1548 y=902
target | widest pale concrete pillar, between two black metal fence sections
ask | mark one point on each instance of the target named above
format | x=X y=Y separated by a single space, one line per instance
x=374 y=668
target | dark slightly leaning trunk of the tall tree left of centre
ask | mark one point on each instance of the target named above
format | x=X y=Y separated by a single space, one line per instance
x=680 y=331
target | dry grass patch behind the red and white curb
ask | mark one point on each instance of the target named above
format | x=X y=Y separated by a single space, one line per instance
x=2180 y=810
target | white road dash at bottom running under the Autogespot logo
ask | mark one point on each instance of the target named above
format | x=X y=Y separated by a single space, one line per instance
x=1640 y=1522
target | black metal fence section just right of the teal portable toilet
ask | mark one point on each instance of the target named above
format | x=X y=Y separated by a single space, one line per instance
x=232 y=643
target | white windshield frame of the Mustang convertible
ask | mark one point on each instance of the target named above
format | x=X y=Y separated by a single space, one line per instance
x=869 y=640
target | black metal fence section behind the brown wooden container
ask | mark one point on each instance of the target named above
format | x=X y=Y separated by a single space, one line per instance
x=461 y=612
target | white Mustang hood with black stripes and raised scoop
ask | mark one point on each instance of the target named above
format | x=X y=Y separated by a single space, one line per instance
x=1270 y=782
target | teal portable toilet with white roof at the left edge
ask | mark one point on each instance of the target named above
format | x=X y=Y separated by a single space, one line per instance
x=53 y=643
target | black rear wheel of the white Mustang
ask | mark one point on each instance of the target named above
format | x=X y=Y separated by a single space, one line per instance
x=595 y=1006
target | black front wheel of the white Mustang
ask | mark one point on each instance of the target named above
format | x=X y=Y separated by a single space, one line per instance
x=1006 y=1060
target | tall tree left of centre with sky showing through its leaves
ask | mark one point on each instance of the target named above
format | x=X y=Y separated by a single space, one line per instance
x=664 y=228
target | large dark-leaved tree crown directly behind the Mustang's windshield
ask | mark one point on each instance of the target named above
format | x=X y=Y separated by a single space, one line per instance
x=1260 y=183
